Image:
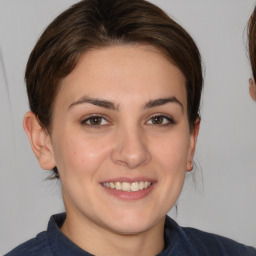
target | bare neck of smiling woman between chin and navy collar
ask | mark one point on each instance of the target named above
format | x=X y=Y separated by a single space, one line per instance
x=101 y=241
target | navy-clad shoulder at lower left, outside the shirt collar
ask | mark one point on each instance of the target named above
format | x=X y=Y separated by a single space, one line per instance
x=37 y=246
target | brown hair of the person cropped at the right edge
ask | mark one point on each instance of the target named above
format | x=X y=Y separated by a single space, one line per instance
x=252 y=42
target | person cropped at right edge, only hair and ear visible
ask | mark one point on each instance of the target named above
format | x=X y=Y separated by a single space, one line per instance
x=252 y=52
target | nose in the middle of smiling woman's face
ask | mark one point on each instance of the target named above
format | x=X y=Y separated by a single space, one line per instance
x=131 y=149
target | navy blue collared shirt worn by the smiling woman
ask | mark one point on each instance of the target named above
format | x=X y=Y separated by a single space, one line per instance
x=178 y=242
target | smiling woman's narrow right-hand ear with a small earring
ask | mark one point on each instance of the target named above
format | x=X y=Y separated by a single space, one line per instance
x=192 y=145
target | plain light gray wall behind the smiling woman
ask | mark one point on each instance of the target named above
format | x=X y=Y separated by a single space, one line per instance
x=220 y=197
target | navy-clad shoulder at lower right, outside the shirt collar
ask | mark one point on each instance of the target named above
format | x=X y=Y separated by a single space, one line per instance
x=212 y=244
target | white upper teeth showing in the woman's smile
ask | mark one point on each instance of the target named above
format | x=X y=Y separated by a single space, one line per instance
x=126 y=186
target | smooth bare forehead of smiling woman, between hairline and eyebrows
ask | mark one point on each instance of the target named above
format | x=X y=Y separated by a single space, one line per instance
x=117 y=72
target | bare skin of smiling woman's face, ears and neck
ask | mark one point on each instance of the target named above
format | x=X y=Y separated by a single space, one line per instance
x=136 y=137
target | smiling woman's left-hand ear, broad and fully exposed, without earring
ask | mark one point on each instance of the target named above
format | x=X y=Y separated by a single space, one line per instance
x=40 y=141
